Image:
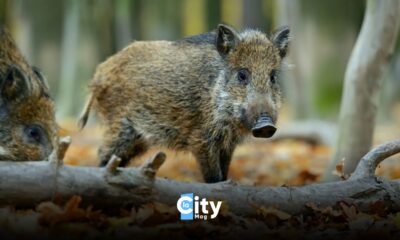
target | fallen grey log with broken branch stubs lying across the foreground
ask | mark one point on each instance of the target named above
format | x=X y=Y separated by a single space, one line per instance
x=29 y=183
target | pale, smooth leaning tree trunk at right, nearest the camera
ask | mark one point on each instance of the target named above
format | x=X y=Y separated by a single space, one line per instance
x=363 y=78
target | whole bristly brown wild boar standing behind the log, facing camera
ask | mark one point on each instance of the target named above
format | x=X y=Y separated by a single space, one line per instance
x=202 y=94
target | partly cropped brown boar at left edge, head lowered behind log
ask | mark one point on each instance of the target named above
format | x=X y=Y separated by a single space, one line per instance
x=28 y=130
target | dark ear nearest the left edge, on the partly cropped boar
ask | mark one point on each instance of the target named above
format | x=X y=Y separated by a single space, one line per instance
x=14 y=85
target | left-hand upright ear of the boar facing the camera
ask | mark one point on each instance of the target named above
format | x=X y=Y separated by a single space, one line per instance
x=227 y=37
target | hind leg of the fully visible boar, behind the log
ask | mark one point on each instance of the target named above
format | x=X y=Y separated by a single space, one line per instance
x=123 y=141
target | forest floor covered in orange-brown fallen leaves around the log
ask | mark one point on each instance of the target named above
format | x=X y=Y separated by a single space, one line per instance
x=255 y=162
